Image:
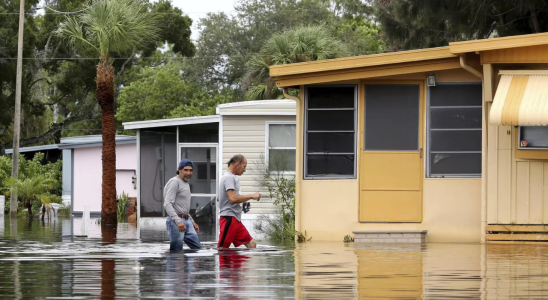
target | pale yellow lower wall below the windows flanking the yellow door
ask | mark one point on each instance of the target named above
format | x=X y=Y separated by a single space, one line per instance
x=451 y=210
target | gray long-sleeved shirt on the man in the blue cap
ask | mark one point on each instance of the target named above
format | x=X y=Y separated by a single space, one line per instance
x=177 y=198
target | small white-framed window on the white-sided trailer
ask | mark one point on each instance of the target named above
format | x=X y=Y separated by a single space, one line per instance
x=281 y=147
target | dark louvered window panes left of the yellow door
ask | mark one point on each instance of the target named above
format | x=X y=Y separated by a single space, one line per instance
x=330 y=132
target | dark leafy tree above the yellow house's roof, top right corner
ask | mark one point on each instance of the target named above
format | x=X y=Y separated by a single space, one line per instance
x=412 y=24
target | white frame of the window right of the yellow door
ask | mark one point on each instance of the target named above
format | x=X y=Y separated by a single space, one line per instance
x=428 y=138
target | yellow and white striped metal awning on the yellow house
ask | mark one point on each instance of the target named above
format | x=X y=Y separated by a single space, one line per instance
x=521 y=99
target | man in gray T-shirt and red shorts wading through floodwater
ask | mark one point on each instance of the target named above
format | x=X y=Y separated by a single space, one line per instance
x=232 y=231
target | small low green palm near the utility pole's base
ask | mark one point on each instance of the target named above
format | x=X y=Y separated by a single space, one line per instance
x=33 y=189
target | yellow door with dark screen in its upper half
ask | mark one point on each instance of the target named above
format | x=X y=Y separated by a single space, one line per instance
x=391 y=157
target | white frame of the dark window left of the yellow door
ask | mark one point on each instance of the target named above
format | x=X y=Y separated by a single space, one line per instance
x=305 y=134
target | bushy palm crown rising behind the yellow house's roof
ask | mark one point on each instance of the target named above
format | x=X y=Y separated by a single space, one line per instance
x=308 y=43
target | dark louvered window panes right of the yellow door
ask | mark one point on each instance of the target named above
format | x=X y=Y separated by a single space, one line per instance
x=454 y=130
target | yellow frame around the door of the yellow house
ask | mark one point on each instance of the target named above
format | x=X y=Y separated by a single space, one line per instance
x=422 y=135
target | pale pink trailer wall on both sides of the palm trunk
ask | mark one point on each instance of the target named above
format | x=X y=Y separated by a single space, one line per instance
x=87 y=172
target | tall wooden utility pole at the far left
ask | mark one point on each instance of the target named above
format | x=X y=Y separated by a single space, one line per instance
x=17 y=116
